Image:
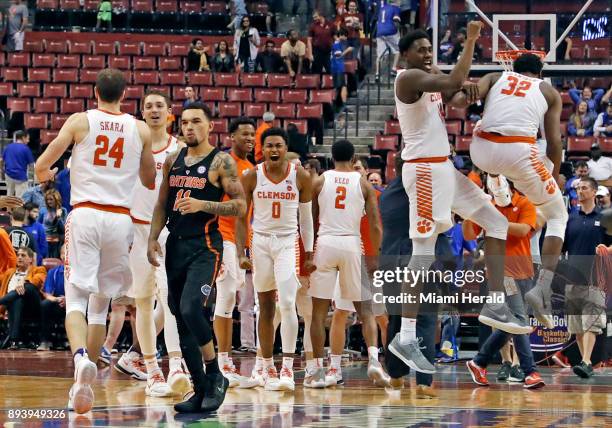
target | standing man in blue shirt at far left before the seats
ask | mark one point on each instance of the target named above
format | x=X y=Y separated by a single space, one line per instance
x=16 y=158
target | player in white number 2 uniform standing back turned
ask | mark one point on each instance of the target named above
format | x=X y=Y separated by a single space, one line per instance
x=341 y=196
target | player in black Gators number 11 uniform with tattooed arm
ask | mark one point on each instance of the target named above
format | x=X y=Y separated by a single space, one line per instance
x=195 y=180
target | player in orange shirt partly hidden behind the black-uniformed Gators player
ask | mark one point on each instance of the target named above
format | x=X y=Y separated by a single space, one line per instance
x=232 y=277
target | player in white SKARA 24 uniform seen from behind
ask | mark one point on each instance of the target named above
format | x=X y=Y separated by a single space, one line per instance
x=111 y=149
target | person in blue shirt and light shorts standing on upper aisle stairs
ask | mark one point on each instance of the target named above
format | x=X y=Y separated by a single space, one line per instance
x=387 y=34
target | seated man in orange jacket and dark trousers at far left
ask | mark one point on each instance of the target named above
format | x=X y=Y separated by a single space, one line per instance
x=20 y=294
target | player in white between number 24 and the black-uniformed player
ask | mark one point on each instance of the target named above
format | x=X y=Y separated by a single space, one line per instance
x=149 y=281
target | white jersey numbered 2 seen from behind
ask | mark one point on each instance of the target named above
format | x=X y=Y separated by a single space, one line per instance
x=341 y=204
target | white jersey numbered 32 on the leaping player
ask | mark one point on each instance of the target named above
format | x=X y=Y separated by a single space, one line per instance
x=514 y=105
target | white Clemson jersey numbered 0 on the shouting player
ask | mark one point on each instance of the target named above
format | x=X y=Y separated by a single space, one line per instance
x=275 y=205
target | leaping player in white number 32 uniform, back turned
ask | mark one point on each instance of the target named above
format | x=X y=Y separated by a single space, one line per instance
x=505 y=143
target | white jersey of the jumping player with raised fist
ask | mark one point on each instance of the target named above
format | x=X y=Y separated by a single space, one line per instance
x=423 y=126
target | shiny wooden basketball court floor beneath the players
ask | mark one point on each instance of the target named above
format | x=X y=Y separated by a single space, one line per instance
x=32 y=380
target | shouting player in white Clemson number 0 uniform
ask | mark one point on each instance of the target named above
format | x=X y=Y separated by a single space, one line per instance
x=278 y=189
